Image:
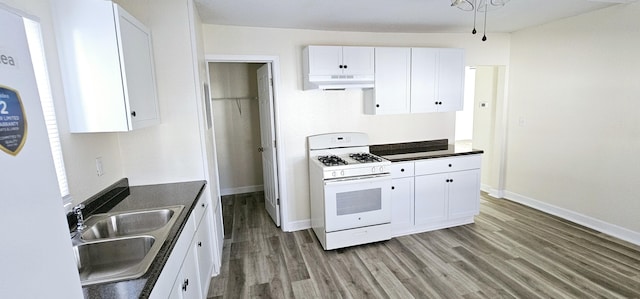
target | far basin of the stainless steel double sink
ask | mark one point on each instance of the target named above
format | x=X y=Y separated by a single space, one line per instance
x=126 y=224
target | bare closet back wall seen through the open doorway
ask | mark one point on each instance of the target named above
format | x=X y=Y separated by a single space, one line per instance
x=237 y=125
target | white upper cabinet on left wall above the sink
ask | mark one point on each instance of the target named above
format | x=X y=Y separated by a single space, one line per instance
x=107 y=67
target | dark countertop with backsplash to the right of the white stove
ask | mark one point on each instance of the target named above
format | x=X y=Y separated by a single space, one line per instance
x=431 y=149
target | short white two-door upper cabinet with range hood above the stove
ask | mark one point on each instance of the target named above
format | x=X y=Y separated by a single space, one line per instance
x=327 y=67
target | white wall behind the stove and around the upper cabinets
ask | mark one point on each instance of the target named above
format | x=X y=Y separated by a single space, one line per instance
x=303 y=113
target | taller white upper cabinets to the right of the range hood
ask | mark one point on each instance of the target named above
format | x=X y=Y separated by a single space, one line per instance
x=416 y=80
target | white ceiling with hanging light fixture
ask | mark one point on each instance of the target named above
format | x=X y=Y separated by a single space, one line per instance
x=410 y=16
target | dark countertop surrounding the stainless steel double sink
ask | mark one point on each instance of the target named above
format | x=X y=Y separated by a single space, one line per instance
x=143 y=197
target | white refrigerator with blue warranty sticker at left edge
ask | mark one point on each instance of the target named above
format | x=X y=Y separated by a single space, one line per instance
x=36 y=257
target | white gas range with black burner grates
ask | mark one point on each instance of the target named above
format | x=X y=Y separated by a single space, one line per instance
x=350 y=191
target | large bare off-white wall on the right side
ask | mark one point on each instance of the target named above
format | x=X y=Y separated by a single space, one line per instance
x=574 y=125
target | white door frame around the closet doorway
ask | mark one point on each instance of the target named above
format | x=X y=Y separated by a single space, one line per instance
x=280 y=152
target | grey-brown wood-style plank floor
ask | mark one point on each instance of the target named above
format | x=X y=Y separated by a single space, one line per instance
x=512 y=251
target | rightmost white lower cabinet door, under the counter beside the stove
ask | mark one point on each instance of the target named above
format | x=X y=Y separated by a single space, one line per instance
x=464 y=193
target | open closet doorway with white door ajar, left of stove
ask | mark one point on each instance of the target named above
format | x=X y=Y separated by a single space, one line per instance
x=243 y=102
